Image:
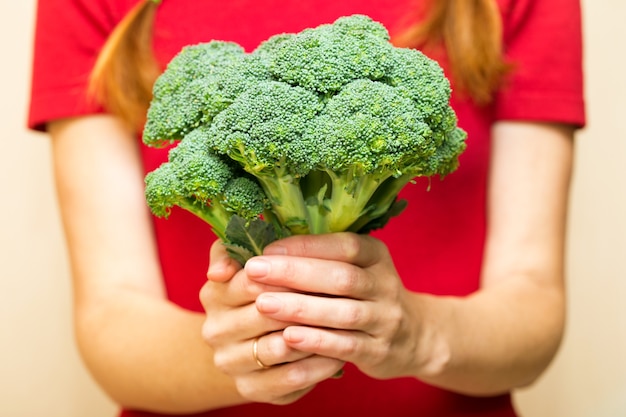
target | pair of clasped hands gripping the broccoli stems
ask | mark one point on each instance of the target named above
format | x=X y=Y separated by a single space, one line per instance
x=309 y=304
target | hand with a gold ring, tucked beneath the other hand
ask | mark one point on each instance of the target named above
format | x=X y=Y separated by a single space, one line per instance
x=282 y=374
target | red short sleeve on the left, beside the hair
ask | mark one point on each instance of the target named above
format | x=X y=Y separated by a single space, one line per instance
x=68 y=37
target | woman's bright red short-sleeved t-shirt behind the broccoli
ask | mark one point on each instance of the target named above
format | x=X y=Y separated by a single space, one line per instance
x=437 y=243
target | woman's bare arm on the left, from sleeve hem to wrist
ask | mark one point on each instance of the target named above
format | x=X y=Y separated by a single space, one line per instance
x=144 y=351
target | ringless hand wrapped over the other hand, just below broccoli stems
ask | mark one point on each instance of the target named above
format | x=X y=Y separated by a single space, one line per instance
x=347 y=301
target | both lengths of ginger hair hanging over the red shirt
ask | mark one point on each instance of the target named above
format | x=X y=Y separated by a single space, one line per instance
x=470 y=32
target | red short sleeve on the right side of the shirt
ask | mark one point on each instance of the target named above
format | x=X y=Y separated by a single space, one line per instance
x=543 y=42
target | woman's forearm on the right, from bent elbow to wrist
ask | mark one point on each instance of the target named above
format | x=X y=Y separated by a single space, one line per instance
x=491 y=342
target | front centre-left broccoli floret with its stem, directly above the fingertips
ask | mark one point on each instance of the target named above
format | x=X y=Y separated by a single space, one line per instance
x=262 y=130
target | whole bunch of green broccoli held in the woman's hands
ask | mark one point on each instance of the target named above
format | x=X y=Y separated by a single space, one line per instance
x=324 y=127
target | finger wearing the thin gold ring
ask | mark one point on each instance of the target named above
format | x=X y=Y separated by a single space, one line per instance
x=271 y=350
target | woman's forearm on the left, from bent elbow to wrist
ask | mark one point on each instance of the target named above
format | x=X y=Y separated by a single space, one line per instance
x=147 y=353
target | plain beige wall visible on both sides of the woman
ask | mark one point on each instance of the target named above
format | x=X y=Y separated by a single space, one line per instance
x=41 y=375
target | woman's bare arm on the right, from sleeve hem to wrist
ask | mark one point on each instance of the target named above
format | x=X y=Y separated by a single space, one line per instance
x=507 y=333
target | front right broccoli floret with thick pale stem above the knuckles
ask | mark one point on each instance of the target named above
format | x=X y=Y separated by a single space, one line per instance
x=367 y=134
